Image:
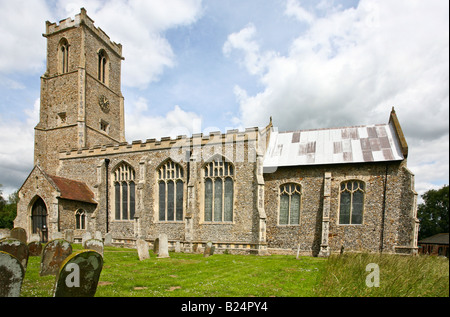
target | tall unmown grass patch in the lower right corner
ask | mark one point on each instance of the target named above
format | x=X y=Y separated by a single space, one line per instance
x=399 y=276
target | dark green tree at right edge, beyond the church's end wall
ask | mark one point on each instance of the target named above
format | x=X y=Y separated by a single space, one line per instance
x=433 y=212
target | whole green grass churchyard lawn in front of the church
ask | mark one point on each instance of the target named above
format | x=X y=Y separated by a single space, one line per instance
x=222 y=275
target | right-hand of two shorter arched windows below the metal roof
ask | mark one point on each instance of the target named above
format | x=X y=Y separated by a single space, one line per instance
x=351 y=202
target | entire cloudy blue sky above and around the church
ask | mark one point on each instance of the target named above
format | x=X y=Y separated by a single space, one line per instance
x=200 y=66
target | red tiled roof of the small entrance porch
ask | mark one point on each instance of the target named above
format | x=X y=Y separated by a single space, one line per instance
x=73 y=190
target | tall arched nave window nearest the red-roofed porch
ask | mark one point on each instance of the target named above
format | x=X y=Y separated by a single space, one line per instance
x=124 y=192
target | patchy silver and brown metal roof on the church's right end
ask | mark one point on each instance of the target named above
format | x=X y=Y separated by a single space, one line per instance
x=371 y=143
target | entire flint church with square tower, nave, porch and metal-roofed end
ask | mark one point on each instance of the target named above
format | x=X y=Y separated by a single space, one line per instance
x=258 y=191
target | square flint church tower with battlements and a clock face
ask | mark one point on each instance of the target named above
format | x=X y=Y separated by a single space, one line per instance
x=81 y=100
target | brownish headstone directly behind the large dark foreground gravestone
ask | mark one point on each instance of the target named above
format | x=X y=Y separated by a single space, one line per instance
x=53 y=254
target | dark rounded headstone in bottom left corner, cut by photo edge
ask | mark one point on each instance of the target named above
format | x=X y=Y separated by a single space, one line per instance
x=11 y=275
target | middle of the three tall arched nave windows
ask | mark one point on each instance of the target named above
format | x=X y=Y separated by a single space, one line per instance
x=171 y=189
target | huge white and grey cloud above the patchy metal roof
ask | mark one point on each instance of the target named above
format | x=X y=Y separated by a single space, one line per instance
x=351 y=66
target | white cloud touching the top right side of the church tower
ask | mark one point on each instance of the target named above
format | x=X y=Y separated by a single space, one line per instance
x=139 y=26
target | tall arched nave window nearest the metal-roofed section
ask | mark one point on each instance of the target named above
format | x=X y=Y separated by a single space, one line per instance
x=219 y=191
